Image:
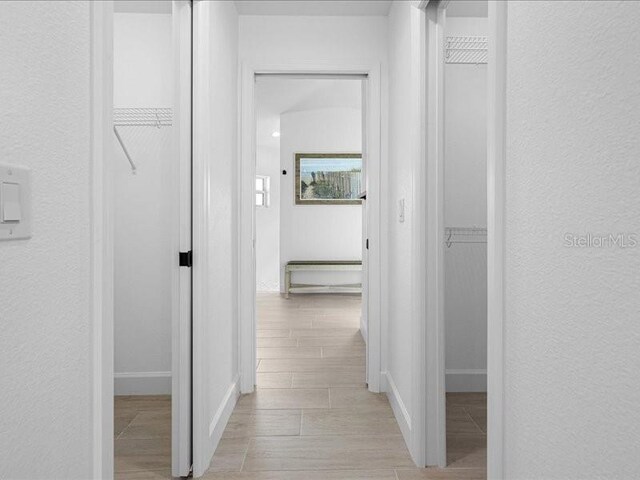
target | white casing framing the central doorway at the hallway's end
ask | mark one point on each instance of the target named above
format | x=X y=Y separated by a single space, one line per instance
x=371 y=279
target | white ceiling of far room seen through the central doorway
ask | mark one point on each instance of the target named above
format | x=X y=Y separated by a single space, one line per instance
x=275 y=96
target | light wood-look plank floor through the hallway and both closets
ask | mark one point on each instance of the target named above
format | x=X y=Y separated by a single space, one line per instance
x=311 y=416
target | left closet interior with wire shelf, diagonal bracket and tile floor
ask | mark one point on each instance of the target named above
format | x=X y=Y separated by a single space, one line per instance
x=142 y=163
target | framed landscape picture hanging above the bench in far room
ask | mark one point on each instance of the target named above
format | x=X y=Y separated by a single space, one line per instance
x=328 y=178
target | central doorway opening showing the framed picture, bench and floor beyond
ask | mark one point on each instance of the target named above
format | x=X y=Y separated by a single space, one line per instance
x=309 y=232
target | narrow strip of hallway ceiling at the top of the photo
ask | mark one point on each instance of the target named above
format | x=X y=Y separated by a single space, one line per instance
x=313 y=7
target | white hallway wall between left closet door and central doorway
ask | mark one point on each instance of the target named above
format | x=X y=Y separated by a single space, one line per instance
x=216 y=376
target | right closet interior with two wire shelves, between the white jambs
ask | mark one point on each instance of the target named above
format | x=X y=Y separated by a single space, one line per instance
x=465 y=242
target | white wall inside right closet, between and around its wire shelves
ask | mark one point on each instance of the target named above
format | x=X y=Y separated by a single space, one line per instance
x=465 y=182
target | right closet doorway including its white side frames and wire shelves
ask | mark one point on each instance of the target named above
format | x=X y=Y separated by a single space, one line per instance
x=481 y=44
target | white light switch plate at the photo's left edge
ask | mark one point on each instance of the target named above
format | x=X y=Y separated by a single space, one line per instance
x=15 y=202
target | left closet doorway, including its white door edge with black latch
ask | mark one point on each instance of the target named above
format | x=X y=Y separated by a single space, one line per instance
x=151 y=162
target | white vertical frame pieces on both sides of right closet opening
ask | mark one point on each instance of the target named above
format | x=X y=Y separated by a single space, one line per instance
x=431 y=61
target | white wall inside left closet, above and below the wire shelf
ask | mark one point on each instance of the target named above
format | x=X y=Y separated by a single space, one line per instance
x=143 y=73
